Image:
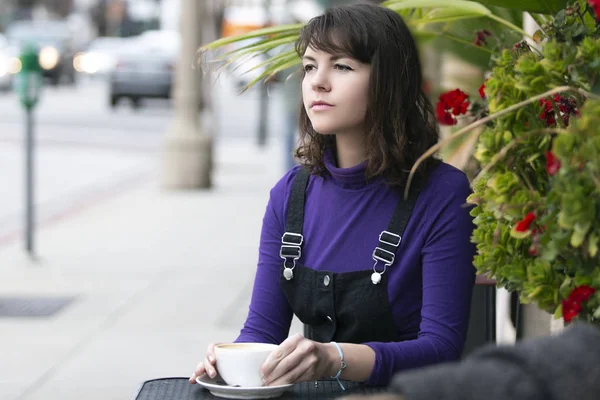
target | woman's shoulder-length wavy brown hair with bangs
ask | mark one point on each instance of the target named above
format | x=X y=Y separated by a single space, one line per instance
x=400 y=120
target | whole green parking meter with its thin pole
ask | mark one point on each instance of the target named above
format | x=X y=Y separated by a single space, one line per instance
x=29 y=83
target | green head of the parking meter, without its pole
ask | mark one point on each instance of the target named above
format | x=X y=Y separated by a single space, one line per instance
x=29 y=80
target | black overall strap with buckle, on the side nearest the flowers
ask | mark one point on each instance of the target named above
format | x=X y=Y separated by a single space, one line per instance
x=389 y=240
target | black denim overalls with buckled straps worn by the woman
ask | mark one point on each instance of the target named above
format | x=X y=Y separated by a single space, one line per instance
x=349 y=307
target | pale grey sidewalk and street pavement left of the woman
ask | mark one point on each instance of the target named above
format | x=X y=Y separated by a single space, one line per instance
x=151 y=274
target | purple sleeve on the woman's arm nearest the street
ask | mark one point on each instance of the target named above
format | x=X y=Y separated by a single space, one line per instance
x=269 y=317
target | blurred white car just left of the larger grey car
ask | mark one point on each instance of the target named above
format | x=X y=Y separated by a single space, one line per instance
x=100 y=56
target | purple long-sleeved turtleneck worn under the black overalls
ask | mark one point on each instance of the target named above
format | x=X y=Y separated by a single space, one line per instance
x=429 y=284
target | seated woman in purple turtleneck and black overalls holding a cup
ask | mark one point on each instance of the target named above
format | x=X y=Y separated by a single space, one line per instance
x=340 y=247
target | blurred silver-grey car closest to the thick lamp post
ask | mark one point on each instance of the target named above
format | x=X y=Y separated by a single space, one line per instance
x=145 y=68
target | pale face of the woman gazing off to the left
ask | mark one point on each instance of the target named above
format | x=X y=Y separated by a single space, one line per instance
x=335 y=92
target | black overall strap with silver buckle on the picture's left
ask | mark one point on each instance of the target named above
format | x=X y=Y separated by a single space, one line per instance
x=292 y=239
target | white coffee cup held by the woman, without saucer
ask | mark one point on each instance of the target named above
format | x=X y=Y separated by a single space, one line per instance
x=239 y=363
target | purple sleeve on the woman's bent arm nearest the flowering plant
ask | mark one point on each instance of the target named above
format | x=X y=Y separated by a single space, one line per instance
x=448 y=277
